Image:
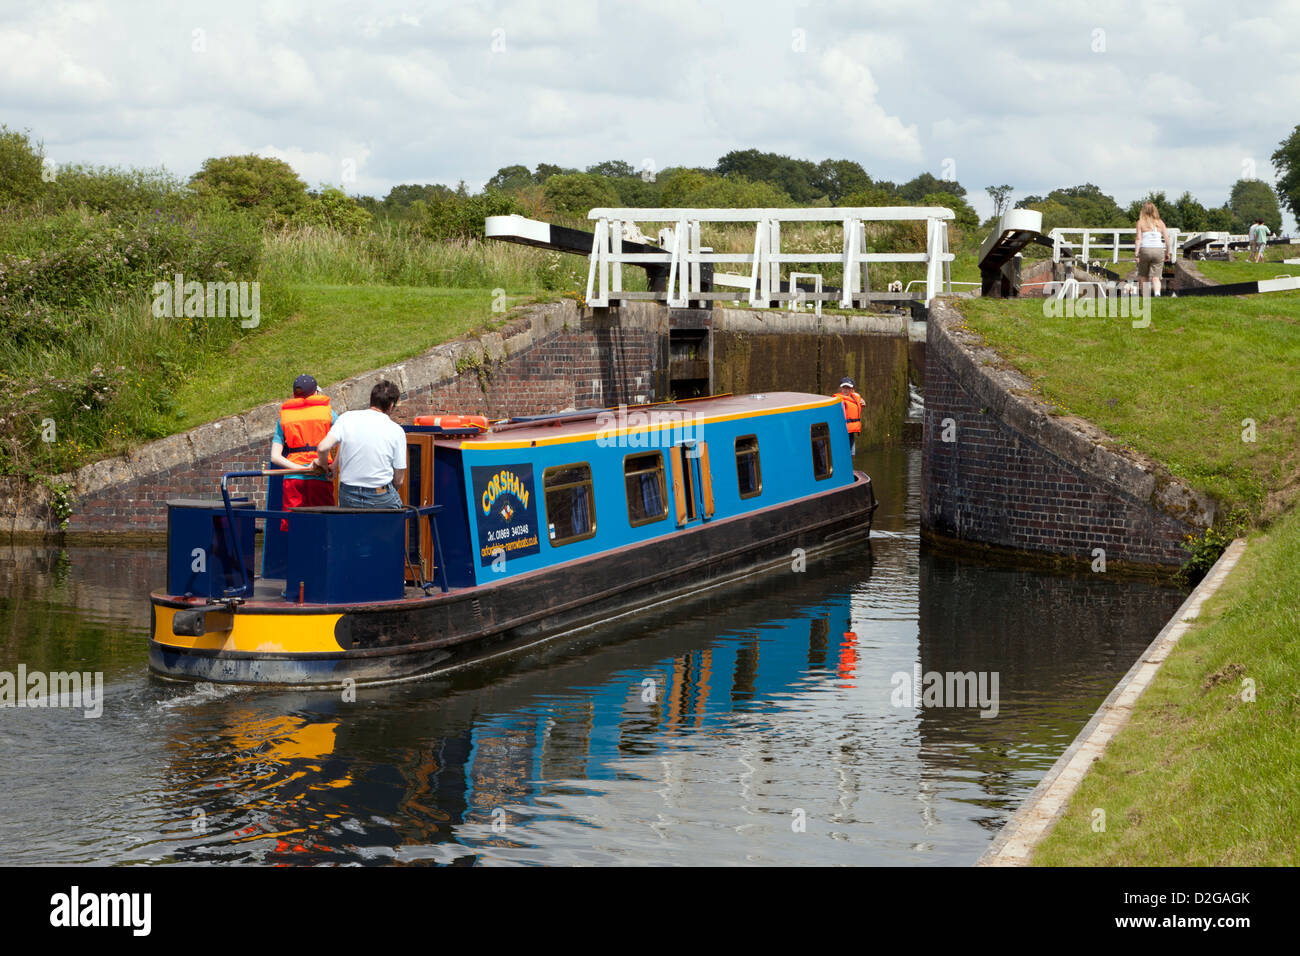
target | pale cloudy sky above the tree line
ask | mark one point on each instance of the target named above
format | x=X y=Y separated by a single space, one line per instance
x=1129 y=96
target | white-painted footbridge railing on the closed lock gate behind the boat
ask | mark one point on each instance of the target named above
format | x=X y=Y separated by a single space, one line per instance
x=684 y=256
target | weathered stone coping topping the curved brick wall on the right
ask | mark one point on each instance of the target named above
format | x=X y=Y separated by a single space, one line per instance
x=1008 y=395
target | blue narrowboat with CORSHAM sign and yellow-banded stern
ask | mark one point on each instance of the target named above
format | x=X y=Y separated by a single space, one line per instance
x=513 y=535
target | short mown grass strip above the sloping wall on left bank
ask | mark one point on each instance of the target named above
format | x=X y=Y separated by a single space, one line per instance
x=336 y=334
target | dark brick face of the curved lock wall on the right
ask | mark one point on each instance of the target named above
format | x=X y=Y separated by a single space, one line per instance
x=998 y=486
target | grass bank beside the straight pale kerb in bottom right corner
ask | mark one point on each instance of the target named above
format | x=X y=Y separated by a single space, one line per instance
x=1202 y=775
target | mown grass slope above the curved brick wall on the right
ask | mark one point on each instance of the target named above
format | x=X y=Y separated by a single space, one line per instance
x=1184 y=391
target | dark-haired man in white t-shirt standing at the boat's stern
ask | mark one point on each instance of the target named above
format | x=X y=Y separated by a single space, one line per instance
x=372 y=452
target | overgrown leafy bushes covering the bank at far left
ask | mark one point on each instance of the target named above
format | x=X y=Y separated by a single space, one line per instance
x=81 y=349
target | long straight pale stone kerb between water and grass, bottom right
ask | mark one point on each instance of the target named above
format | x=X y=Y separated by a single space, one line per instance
x=1016 y=843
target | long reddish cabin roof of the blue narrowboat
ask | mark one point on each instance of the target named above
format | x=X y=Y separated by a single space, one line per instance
x=587 y=426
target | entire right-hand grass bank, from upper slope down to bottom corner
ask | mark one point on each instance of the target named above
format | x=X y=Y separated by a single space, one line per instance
x=1207 y=771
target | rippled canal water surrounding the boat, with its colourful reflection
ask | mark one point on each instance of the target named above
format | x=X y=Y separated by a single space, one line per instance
x=770 y=724
